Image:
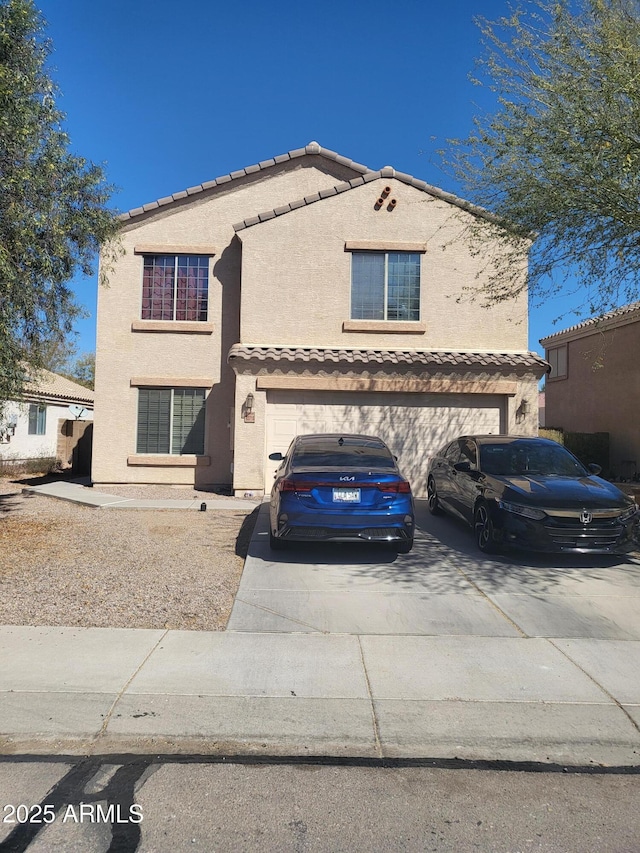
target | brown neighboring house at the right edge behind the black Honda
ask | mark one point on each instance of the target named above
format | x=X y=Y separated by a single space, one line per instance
x=594 y=383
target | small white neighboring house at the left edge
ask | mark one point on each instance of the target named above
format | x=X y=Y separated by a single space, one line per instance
x=30 y=428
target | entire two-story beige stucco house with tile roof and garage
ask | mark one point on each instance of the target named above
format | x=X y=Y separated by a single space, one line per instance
x=305 y=293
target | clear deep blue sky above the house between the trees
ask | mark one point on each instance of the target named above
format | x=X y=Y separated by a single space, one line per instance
x=171 y=94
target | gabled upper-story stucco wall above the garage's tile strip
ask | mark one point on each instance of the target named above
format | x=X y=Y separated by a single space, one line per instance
x=296 y=275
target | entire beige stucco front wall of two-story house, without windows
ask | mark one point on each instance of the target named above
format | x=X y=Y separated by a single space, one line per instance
x=287 y=281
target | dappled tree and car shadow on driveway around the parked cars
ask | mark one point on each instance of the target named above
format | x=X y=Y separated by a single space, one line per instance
x=444 y=559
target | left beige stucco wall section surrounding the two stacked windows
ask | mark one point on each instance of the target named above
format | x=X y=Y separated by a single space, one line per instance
x=205 y=219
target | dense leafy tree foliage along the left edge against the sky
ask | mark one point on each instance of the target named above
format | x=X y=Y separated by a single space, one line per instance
x=53 y=214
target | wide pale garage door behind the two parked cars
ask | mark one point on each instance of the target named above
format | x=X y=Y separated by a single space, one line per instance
x=414 y=426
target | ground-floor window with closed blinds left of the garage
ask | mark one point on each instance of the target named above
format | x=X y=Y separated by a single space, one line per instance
x=171 y=420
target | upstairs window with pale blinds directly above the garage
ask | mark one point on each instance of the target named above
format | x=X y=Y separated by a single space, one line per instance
x=385 y=286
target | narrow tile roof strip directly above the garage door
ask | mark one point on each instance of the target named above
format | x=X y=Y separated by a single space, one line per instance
x=425 y=358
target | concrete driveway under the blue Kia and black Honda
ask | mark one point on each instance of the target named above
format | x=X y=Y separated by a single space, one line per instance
x=444 y=587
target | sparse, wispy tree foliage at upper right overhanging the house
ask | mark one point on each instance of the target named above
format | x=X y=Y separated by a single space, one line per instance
x=558 y=161
